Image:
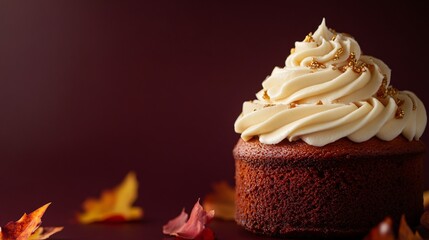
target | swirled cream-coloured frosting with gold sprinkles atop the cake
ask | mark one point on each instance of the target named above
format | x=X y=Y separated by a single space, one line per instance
x=329 y=90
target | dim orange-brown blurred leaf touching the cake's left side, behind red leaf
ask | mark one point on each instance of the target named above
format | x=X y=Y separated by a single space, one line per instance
x=222 y=200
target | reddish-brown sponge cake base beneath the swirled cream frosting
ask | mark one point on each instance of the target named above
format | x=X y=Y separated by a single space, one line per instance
x=340 y=190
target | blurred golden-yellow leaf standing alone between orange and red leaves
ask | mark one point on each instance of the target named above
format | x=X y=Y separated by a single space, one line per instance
x=114 y=205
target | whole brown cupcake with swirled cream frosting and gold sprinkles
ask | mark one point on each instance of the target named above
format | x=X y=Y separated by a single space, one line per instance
x=329 y=147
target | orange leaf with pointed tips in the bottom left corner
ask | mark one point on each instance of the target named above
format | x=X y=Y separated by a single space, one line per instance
x=27 y=227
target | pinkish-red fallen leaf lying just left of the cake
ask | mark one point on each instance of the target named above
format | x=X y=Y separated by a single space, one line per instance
x=192 y=228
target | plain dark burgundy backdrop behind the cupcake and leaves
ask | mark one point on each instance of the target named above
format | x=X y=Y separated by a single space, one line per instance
x=90 y=90
